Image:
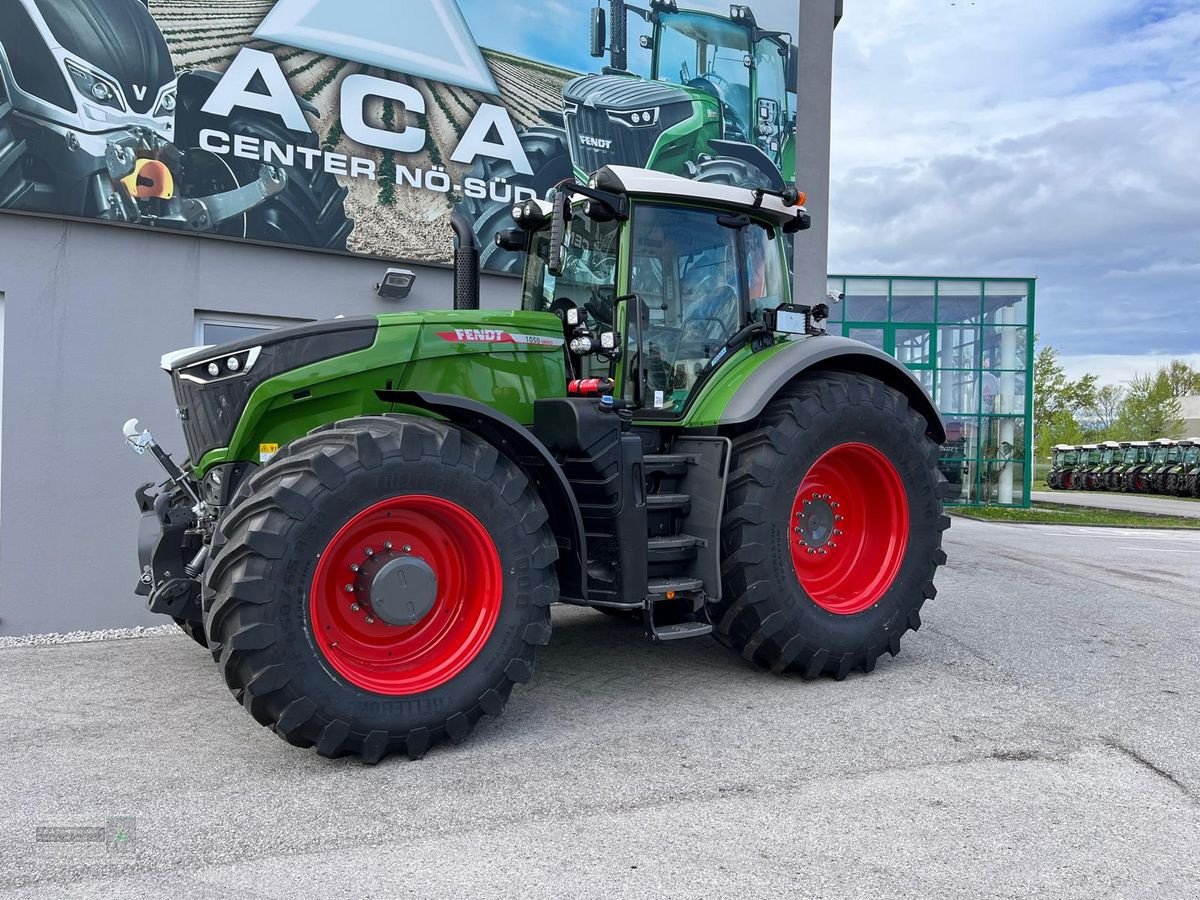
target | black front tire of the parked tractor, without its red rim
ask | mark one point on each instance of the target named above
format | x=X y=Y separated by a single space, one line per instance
x=256 y=599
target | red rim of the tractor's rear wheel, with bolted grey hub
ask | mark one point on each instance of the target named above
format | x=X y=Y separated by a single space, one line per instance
x=849 y=529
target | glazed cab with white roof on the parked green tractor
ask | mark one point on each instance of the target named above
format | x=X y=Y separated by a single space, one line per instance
x=691 y=289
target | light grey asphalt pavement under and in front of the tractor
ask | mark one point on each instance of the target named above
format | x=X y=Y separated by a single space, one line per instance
x=1037 y=739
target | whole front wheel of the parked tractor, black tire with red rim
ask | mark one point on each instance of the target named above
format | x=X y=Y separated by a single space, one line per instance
x=381 y=586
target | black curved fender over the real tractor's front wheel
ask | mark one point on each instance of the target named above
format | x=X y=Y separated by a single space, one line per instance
x=536 y=461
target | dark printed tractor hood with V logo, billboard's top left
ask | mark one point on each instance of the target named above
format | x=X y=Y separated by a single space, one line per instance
x=118 y=38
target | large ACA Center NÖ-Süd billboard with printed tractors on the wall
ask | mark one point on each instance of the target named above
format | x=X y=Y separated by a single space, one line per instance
x=358 y=125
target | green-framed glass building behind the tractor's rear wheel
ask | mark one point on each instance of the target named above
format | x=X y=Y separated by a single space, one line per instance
x=970 y=341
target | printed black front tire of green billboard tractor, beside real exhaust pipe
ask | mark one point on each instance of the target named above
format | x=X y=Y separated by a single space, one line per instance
x=551 y=163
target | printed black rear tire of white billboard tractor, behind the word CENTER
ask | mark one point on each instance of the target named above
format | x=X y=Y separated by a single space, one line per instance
x=309 y=213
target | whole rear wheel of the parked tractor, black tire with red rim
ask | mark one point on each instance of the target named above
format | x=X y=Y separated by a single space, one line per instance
x=833 y=529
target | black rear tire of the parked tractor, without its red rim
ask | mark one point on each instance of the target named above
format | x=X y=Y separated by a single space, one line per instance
x=765 y=613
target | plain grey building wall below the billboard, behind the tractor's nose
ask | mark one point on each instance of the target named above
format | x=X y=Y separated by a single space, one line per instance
x=89 y=310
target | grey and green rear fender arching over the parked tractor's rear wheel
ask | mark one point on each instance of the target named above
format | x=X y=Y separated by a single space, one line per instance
x=748 y=393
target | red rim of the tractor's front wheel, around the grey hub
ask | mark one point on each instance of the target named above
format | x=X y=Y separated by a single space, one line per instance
x=406 y=659
